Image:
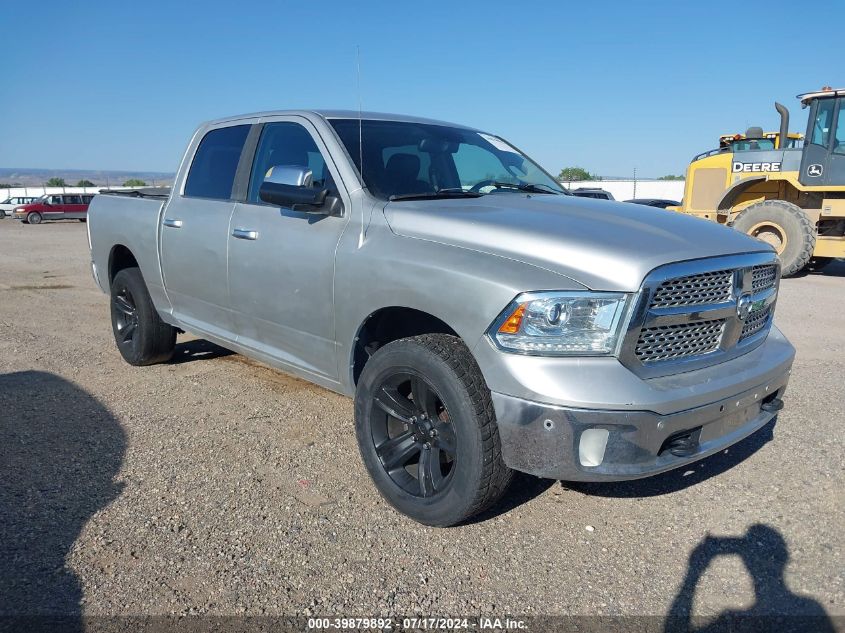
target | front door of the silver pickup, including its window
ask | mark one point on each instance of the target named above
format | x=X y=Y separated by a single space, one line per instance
x=281 y=261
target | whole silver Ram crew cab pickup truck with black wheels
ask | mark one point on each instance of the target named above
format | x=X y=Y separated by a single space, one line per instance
x=483 y=320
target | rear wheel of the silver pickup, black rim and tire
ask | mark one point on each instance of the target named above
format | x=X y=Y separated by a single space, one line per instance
x=141 y=336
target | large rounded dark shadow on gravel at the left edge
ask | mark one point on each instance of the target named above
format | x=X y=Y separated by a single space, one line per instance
x=60 y=450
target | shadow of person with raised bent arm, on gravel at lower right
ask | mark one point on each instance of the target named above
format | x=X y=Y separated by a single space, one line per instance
x=764 y=553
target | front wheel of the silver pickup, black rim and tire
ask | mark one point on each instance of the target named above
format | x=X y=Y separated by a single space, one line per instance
x=427 y=431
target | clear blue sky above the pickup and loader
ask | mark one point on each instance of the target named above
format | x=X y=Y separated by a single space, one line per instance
x=608 y=86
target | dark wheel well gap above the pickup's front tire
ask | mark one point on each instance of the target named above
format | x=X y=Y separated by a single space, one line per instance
x=390 y=324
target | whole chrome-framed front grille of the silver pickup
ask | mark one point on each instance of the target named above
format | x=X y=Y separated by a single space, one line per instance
x=697 y=313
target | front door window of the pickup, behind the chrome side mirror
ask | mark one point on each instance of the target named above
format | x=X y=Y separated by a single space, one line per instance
x=287 y=144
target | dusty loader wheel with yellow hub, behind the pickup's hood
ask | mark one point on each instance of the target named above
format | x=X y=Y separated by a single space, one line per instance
x=783 y=225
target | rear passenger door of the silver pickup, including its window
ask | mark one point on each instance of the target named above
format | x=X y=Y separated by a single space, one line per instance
x=194 y=232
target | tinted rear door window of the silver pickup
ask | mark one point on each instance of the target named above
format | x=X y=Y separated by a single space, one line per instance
x=212 y=172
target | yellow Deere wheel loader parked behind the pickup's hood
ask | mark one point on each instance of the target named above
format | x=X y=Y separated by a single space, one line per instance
x=791 y=197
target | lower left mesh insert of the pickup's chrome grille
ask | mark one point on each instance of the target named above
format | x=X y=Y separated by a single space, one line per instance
x=667 y=342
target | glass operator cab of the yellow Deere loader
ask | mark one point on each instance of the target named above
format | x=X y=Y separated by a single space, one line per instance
x=823 y=159
